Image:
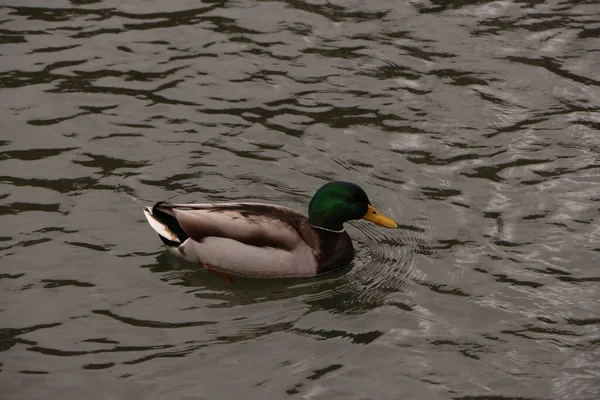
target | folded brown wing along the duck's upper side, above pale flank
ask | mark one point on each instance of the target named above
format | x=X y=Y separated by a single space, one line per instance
x=254 y=224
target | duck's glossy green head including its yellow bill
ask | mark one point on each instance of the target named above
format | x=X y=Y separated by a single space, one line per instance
x=338 y=202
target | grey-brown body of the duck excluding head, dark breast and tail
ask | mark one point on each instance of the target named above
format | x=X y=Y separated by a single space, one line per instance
x=250 y=239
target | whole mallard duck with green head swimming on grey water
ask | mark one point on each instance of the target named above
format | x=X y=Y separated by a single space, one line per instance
x=265 y=240
